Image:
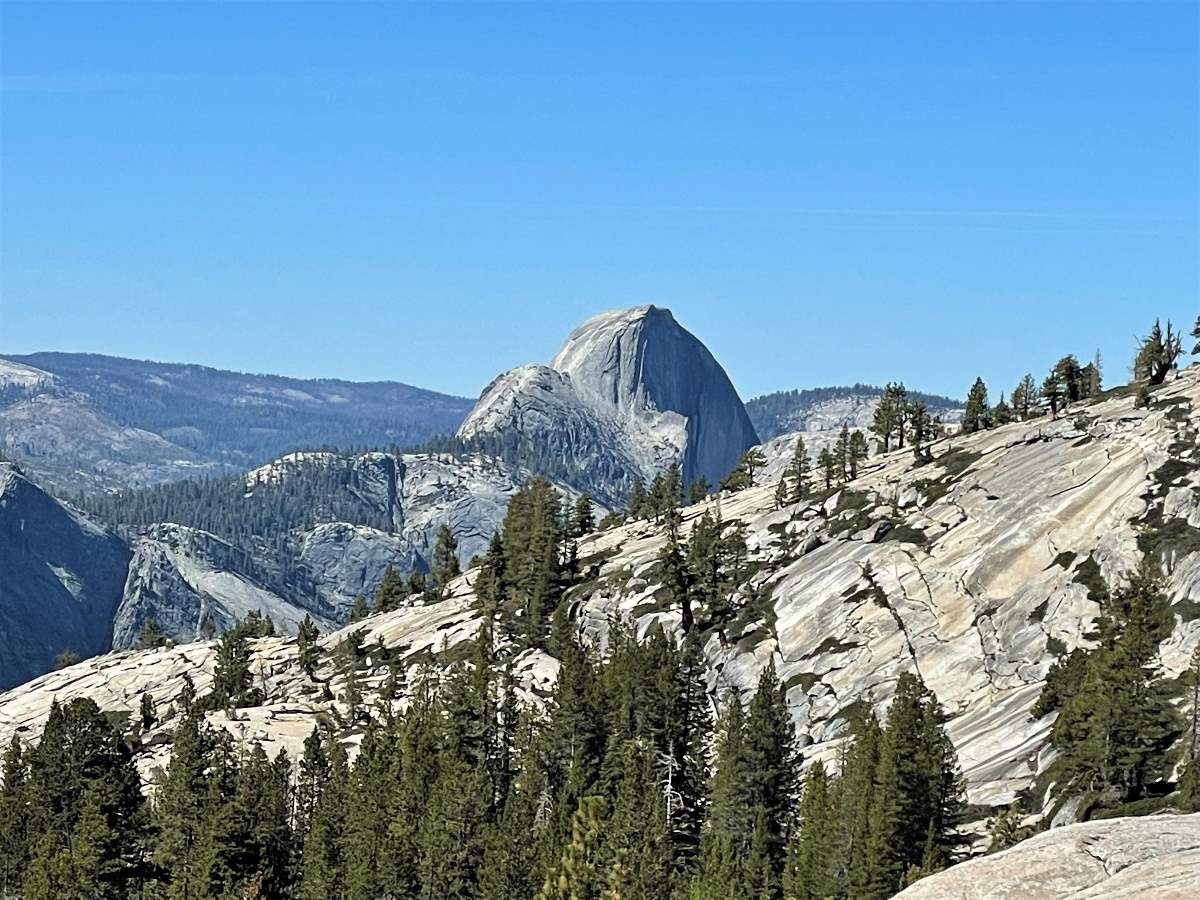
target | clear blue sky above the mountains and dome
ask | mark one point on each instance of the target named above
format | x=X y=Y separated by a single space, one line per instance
x=433 y=194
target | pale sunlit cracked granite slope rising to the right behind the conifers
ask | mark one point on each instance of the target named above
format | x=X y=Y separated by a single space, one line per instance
x=977 y=569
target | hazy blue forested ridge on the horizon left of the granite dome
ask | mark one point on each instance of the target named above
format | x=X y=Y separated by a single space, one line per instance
x=93 y=423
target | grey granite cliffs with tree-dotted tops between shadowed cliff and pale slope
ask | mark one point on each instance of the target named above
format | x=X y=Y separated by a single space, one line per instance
x=376 y=509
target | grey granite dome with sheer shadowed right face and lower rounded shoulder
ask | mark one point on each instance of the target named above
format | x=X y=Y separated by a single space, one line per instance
x=629 y=393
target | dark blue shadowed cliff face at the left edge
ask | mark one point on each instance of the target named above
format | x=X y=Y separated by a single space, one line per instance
x=61 y=580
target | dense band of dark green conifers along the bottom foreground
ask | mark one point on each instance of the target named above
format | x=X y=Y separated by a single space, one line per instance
x=619 y=787
